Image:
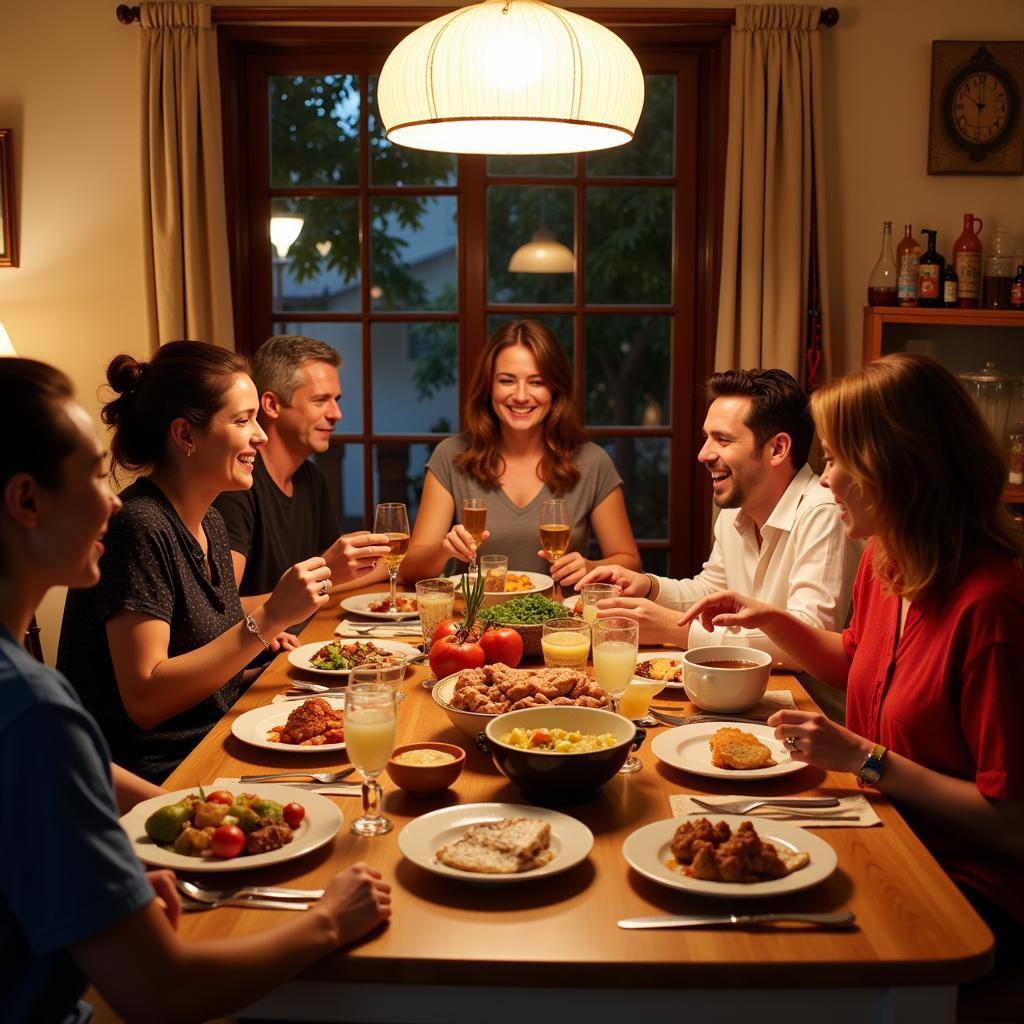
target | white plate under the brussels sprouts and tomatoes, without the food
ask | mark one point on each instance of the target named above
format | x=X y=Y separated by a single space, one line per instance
x=319 y=827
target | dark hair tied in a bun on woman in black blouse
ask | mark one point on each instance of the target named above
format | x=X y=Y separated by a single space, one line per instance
x=185 y=379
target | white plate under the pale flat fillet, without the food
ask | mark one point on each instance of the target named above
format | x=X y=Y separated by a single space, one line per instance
x=421 y=839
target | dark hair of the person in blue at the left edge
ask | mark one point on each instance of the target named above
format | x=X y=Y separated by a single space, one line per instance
x=38 y=436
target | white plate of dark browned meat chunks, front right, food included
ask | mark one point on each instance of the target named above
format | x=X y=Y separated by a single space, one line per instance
x=730 y=856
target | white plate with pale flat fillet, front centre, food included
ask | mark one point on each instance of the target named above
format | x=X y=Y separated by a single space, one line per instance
x=496 y=843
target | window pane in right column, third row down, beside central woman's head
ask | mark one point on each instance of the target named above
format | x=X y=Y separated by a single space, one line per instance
x=628 y=370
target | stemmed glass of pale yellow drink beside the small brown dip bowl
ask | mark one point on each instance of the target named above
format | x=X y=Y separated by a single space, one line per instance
x=370 y=740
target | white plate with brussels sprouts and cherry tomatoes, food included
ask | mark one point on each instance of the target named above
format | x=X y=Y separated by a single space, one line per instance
x=157 y=826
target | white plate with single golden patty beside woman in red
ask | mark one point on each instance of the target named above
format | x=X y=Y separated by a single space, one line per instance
x=718 y=750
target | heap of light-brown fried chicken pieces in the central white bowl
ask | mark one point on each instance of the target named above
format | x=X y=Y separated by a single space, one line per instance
x=497 y=689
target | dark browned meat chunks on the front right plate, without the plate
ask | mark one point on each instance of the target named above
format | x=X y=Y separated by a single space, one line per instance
x=714 y=854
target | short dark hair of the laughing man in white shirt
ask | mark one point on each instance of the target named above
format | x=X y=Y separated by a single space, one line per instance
x=779 y=406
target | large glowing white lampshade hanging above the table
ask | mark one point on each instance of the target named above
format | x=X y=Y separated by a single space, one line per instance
x=511 y=77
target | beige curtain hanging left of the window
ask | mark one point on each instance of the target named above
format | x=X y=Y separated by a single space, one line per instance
x=187 y=264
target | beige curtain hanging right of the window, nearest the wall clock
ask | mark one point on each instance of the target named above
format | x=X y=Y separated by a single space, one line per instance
x=774 y=152
